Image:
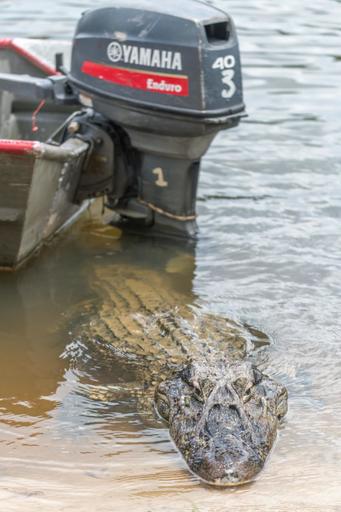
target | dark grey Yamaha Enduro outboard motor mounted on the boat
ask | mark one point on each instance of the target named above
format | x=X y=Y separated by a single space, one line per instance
x=156 y=81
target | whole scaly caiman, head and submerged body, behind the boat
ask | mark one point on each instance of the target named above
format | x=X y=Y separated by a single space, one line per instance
x=222 y=412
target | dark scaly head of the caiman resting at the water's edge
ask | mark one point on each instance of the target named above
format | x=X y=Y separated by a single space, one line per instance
x=223 y=418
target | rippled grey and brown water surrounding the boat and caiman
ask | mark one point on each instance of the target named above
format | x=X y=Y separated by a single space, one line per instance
x=268 y=256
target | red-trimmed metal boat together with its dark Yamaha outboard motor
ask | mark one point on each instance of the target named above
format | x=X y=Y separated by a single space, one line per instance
x=120 y=113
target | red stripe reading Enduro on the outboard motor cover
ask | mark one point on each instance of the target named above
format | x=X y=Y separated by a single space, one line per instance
x=151 y=82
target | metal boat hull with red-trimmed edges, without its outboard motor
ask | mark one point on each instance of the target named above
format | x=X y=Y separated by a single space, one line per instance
x=37 y=179
